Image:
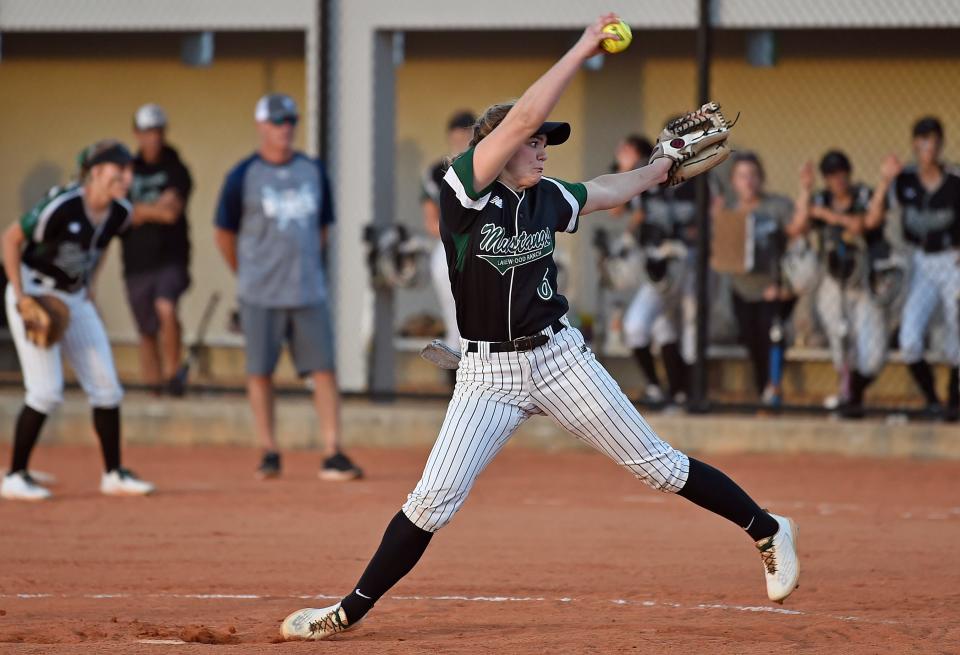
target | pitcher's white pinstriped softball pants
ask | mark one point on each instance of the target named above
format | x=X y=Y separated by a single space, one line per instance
x=496 y=392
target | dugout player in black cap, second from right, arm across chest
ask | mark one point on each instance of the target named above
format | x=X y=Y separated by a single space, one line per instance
x=849 y=312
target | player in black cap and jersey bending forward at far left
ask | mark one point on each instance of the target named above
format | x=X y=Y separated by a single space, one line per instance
x=55 y=250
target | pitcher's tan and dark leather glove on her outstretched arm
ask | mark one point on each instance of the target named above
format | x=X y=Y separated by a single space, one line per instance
x=694 y=142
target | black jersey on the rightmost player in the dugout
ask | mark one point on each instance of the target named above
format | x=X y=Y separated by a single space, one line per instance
x=931 y=220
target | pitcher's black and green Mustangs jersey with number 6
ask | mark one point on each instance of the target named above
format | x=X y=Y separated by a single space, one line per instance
x=499 y=246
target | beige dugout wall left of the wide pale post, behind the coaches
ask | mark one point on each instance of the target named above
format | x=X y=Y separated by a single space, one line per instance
x=62 y=93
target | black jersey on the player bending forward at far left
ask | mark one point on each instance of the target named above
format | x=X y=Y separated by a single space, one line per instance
x=63 y=243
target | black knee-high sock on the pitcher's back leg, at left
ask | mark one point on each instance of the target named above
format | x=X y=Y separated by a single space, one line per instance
x=401 y=548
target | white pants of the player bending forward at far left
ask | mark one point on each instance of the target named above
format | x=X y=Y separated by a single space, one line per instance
x=84 y=344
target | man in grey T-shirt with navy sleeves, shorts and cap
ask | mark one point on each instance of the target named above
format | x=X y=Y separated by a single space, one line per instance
x=271 y=226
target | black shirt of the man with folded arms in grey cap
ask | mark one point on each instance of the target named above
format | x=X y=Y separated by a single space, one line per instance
x=151 y=246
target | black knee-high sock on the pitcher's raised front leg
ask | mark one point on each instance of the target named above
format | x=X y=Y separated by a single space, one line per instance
x=713 y=490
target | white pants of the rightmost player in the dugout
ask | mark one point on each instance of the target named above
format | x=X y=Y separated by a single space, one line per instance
x=935 y=279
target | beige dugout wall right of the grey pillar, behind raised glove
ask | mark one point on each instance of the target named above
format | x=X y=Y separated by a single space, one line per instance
x=859 y=91
